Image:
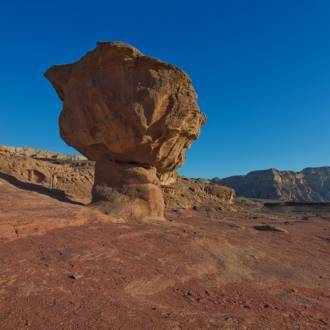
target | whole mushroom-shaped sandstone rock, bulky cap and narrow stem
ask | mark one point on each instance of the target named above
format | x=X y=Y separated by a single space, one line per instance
x=135 y=116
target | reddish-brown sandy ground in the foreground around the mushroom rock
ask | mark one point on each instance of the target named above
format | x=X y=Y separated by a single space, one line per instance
x=65 y=266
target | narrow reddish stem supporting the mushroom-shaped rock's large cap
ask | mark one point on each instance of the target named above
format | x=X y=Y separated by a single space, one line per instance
x=128 y=190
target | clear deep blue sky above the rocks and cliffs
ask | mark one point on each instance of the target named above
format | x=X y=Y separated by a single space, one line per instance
x=261 y=69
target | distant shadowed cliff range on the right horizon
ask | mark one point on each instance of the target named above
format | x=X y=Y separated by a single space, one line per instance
x=309 y=185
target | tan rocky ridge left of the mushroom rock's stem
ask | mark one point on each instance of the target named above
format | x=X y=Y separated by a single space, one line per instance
x=64 y=175
